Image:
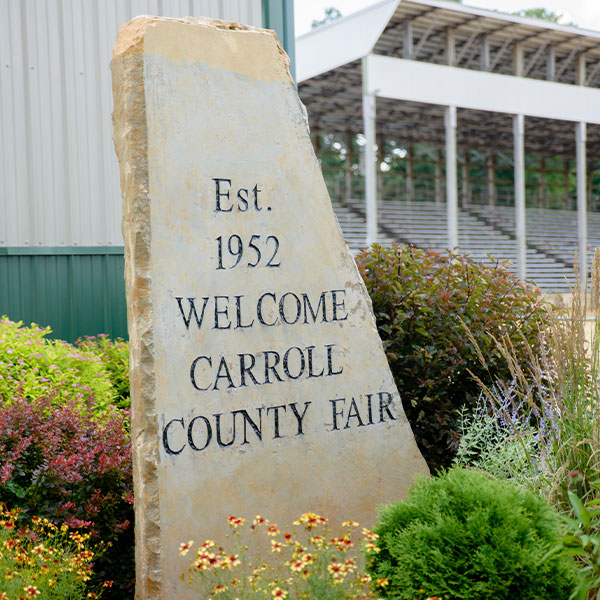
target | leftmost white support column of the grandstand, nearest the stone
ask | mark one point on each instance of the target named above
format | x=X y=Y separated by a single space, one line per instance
x=368 y=101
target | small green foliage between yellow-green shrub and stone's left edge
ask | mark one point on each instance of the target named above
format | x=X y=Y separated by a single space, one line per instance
x=114 y=355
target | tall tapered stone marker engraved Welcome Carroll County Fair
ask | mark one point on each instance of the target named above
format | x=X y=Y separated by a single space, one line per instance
x=275 y=397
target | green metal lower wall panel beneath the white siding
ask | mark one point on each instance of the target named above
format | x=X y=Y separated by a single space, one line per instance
x=77 y=291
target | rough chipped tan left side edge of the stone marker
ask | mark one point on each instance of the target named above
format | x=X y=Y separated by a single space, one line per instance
x=131 y=145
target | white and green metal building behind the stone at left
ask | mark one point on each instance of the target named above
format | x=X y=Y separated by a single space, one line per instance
x=61 y=248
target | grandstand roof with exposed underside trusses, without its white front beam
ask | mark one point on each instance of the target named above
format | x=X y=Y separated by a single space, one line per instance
x=330 y=78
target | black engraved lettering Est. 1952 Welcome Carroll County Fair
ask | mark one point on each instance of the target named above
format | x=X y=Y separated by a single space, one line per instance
x=268 y=366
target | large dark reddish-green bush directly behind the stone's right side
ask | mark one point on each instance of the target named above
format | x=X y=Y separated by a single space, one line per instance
x=422 y=303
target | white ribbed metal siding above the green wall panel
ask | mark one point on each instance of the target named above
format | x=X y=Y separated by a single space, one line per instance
x=59 y=178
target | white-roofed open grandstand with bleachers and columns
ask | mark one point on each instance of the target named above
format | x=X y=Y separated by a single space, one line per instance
x=486 y=121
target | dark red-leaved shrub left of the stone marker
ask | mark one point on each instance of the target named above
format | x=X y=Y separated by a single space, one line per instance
x=70 y=465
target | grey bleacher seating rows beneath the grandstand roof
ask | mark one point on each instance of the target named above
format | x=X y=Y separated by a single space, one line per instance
x=484 y=233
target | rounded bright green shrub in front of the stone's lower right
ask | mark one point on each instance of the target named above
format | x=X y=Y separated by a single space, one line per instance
x=465 y=536
